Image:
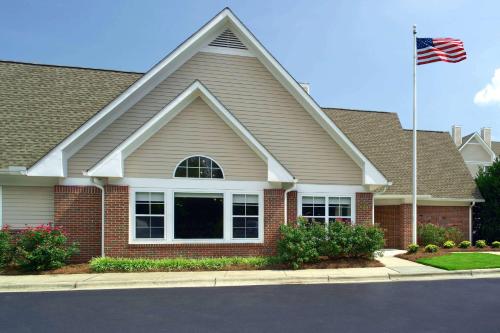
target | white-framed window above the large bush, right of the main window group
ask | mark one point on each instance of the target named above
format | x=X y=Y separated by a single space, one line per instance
x=323 y=209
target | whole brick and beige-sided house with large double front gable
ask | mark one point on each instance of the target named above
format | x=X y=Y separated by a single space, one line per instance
x=207 y=154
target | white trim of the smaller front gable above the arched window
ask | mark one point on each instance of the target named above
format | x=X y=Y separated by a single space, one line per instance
x=112 y=165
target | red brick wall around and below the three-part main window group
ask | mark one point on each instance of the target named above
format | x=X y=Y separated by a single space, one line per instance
x=117 y=231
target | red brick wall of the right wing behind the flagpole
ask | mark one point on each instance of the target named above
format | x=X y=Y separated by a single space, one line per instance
x=397 y=225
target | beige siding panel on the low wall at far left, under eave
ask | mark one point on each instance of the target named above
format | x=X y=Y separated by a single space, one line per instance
x=27 y=205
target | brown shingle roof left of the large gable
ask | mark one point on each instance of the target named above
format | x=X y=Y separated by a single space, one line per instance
x=40 y=105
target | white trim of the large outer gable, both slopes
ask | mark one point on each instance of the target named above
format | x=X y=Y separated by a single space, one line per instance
x=54 y=163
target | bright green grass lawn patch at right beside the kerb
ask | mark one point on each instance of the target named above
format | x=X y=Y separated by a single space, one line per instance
x=457 y=261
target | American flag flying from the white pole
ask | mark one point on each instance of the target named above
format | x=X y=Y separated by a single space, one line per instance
x=439 y=49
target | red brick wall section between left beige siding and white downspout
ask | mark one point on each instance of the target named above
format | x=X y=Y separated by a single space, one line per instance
x=77 y=209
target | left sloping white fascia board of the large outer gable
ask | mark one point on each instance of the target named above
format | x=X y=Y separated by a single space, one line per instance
x=54 y=163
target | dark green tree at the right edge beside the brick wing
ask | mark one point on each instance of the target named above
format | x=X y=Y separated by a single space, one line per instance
x=487 y=213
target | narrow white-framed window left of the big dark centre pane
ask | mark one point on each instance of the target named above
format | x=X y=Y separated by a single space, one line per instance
x=149 y=215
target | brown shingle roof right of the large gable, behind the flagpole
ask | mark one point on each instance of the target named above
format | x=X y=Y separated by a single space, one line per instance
x=441 y=170
